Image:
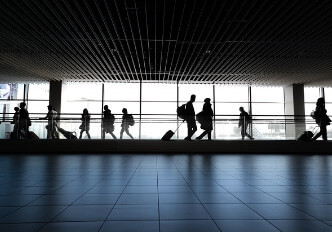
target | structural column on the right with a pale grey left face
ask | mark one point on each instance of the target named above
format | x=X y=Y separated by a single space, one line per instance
x=294 y=107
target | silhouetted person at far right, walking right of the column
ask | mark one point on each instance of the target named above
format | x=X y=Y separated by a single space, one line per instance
x=321 y=119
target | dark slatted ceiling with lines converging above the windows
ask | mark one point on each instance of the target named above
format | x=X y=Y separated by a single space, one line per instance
x=198 y=41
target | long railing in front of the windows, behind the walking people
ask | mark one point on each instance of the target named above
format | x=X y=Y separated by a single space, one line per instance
x=154 y=126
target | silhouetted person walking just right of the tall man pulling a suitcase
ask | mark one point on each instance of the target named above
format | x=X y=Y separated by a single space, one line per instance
x=205 y=118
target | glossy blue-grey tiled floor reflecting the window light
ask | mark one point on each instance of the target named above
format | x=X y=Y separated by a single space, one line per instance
x=113 y=193
